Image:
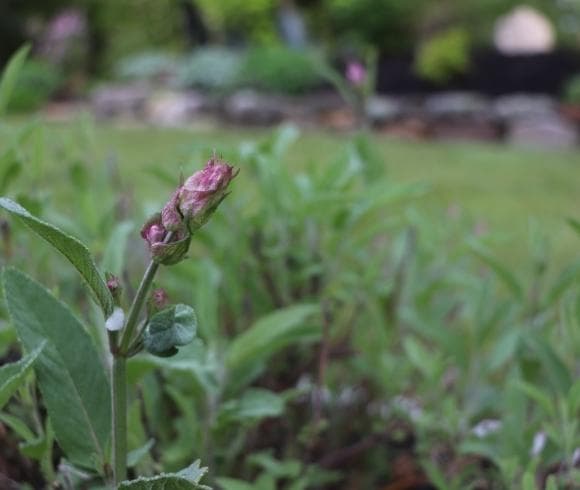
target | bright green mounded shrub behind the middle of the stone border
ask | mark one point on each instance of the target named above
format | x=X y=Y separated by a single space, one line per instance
x=280 y=69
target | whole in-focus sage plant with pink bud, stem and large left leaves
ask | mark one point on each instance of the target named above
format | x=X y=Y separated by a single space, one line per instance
x=87 y=413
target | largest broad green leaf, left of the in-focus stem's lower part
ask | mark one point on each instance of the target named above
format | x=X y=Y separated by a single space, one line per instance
x=71 y=377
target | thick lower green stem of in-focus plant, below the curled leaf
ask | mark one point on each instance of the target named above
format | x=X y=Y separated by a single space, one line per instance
x=119 y=419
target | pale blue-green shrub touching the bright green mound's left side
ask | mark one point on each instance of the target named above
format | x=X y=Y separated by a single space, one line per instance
x=213 y=68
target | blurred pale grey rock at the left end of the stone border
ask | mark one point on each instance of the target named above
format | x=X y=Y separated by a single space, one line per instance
x=119 y=100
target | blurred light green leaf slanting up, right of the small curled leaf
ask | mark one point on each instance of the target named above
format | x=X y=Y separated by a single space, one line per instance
x=270 y=334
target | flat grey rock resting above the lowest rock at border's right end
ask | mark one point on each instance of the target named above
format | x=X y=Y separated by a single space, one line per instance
x=522 y=106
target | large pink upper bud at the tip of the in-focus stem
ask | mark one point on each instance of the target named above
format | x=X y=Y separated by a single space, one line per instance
x=196 y=200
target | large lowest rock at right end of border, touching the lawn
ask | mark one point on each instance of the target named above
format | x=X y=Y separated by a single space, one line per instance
x=546 y=132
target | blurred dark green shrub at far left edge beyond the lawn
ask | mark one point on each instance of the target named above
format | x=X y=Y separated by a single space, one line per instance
x=36 y=83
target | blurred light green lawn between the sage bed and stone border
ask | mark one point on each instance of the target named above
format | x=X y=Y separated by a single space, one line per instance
x=502 y=188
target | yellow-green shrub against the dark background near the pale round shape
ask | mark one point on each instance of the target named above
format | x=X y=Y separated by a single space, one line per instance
x=443 y=56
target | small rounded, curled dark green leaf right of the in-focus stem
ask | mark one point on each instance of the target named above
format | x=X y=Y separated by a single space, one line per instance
x=169 y=328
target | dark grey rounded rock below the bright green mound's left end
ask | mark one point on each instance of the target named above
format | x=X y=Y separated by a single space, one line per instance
x=249 y=107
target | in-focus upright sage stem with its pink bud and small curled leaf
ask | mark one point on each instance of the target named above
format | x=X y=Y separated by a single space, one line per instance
x=168 y=235
